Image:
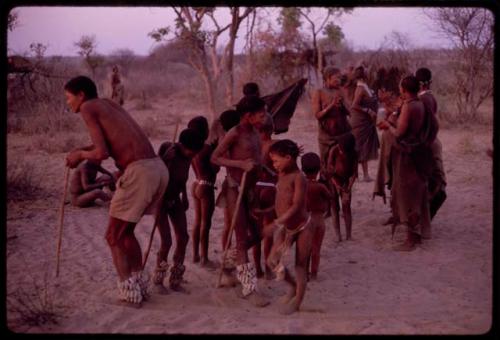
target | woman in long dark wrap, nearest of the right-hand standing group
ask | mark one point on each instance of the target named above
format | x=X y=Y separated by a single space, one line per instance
x=411 y=163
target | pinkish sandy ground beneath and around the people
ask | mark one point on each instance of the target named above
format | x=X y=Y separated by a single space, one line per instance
x=364 y=287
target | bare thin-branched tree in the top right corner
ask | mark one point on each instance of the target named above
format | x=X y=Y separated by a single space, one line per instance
x=471 y=32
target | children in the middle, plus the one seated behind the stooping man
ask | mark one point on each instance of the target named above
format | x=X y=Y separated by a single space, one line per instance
x=279 y=204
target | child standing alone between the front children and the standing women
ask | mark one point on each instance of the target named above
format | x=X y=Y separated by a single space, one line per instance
x=342 y=171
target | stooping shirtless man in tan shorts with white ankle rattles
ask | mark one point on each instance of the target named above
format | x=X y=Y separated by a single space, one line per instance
x=142 y=180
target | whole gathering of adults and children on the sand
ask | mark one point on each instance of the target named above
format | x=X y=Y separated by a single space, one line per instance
x=267 y=200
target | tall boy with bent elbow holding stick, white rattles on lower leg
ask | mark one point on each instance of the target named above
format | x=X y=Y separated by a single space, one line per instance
x=240 y=151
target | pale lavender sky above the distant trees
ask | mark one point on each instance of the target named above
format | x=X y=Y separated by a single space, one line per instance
x=122 y=27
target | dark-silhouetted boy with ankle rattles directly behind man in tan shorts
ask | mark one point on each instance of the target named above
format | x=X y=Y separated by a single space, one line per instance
x=177 y=157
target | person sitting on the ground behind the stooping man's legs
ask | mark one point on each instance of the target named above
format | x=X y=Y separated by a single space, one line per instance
x=85 y=187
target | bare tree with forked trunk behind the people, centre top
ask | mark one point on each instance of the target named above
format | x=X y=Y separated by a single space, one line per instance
x=203 y=44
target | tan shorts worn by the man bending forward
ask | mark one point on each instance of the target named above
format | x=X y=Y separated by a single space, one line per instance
x=139 y=190
